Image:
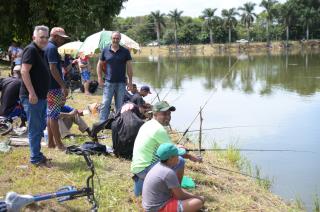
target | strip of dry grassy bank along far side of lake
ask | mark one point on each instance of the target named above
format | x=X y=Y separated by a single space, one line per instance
x=257 y=48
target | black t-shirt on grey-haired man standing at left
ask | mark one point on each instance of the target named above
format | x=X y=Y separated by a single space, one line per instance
x=39 y=73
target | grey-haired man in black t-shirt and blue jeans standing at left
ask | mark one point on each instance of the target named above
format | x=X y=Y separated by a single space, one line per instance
x=33 y=92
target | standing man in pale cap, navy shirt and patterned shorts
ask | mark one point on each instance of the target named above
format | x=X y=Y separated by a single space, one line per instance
x=57 y=90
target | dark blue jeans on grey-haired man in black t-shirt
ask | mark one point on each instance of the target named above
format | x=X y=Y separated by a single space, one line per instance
x=36 y=116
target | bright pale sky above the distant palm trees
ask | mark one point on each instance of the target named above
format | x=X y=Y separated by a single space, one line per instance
x=191 y=8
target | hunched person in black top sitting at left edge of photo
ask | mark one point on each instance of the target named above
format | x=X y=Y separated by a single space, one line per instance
x=10 y=103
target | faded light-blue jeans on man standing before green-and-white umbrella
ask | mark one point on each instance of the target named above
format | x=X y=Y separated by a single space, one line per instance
x=111 y=89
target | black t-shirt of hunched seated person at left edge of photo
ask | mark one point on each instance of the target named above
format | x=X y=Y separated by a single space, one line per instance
x=9 y=88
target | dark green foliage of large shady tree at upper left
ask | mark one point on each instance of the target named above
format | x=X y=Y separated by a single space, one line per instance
x=79 y=18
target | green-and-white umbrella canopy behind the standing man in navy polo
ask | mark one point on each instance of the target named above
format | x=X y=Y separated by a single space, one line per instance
x=96 y=42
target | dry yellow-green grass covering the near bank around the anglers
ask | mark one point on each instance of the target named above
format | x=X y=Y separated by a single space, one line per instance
x=224 y=190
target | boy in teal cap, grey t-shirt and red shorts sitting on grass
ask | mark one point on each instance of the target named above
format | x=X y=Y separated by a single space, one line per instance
x=161 y=187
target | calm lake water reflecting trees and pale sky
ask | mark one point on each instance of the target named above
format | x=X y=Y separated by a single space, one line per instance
x=266 y=102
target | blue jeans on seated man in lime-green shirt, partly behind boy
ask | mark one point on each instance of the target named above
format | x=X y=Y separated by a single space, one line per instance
x=139 y=178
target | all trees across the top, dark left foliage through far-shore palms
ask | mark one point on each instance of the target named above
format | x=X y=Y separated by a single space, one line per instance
x=292 y=20
